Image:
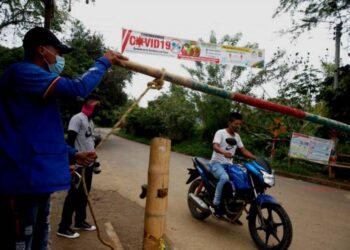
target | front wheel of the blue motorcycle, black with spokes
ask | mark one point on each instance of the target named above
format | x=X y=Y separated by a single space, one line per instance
x=275 y=232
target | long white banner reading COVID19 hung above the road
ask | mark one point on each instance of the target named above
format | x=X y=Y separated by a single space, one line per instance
x=145 y=43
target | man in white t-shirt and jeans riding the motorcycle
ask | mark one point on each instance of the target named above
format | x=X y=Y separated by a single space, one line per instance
x=223 y=154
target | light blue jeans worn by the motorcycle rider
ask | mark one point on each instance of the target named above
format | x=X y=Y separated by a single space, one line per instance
x=219 y=172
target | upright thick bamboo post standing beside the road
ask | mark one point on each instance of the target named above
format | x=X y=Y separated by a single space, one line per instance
x=157 y=194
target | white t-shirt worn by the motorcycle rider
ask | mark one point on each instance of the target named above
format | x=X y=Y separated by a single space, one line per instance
x=220 y=138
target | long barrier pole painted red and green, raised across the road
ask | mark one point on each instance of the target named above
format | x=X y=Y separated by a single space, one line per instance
x=251 y=101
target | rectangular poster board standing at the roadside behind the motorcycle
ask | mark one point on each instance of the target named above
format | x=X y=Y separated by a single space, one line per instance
x=310 y=148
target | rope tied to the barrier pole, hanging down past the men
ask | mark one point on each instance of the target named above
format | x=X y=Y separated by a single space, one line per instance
x=155 y=84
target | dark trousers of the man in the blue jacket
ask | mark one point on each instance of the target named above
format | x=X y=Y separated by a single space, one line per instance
x=26 y=222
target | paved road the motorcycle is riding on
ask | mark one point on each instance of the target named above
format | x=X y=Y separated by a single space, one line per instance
x=320 y=215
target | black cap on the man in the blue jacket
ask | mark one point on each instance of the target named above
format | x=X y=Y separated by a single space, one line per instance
x=42 y=36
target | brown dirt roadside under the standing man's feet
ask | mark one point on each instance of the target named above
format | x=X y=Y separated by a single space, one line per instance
x=126 y=217
